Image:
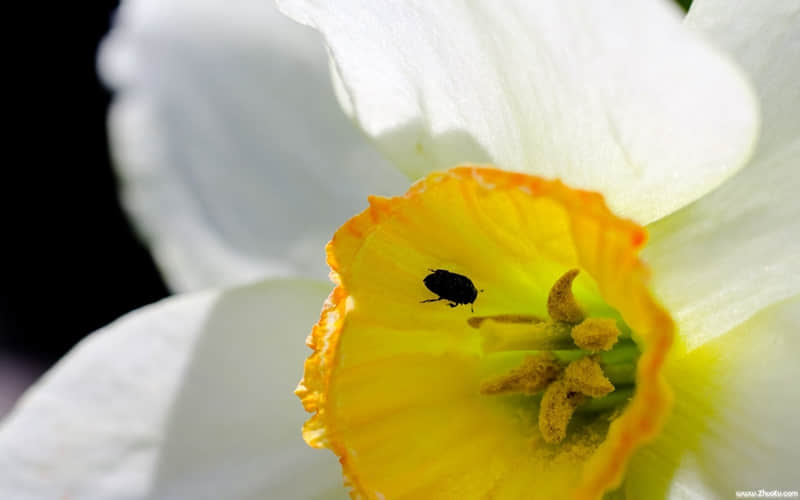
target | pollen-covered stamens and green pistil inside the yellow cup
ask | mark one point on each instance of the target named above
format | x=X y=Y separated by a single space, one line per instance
x=562 y=369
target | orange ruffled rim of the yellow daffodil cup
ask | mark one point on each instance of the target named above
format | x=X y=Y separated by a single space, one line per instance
x=643 y=417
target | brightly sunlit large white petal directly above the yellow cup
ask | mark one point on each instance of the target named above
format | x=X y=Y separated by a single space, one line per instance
x=606 y=95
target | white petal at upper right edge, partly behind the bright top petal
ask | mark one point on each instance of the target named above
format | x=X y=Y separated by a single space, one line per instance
x=725 y=257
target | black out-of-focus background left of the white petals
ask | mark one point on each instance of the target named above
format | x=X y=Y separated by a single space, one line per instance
x=71 y=262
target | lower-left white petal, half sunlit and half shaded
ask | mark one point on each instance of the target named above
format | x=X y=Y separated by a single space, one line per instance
x=191 y=398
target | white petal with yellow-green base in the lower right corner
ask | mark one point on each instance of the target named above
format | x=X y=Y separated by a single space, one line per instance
x=734 y=425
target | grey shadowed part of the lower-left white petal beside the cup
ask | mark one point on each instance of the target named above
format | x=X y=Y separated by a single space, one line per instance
x=234 y=428
